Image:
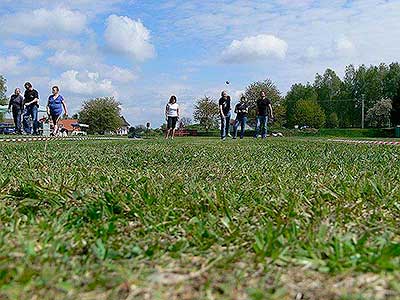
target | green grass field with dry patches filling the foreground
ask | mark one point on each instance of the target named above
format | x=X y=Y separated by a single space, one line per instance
x=199 y=219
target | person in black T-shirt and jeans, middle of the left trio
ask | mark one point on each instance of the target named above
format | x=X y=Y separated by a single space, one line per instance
x=31 y=109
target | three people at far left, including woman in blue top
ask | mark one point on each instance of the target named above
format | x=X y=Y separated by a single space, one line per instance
x=27 y=108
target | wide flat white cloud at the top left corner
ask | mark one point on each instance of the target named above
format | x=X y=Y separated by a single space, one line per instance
x=42 y=21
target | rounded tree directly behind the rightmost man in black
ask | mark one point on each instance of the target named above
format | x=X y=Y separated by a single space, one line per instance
x=252 y=94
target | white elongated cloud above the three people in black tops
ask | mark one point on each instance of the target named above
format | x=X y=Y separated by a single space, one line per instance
x=255 y=48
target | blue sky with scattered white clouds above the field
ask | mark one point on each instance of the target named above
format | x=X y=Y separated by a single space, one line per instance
x=142 y=51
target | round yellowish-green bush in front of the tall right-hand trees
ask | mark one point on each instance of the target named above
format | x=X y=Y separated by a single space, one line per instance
x=309 y=113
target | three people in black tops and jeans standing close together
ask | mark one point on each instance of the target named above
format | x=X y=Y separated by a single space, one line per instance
x=264 y=112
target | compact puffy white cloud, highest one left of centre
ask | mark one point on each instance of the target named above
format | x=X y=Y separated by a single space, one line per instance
x=126 y=36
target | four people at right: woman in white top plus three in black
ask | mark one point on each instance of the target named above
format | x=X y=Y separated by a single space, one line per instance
x=264 y=112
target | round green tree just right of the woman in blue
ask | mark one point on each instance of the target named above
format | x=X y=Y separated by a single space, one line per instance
x=101 y=114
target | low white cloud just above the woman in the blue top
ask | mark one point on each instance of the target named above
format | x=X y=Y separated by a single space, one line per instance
x=85 y=83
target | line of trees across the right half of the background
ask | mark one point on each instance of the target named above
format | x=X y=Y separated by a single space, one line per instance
x=327 y=102
